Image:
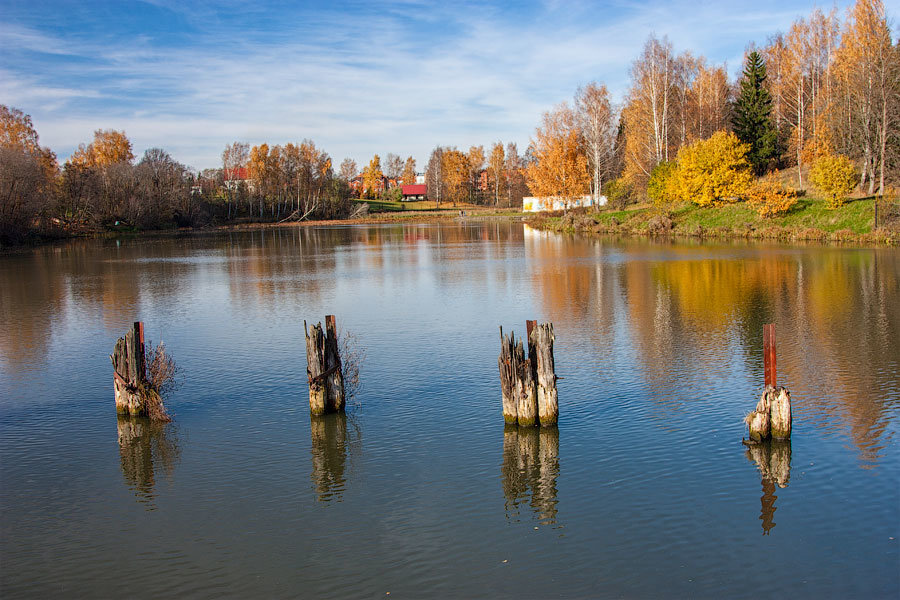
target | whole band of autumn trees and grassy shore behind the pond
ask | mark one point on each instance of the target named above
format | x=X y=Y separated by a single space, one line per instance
x=804 y=144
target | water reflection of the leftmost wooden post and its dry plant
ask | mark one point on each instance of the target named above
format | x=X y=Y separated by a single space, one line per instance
x=146 y=448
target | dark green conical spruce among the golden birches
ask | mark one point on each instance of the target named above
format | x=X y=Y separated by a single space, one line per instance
x=752 y=115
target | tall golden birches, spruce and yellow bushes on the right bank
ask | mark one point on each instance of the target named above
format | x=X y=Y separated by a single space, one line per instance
x=815 y=99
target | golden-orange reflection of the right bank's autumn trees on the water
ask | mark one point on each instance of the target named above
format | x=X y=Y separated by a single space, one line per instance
x=690 y=309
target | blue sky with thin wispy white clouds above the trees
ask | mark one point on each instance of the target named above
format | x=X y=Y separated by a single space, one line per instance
x=355 y=77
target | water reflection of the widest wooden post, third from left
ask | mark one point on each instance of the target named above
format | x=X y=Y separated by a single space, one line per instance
x=531 y=461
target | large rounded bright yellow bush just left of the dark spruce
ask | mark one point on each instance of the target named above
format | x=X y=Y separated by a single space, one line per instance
x=714 y=171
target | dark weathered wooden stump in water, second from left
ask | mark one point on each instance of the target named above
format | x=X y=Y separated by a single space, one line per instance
x=323 y=368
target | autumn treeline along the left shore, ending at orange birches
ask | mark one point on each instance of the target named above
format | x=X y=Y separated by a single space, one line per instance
x=102 y=185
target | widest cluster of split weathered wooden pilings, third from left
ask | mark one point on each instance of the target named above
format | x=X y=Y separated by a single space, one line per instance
x=528 y=383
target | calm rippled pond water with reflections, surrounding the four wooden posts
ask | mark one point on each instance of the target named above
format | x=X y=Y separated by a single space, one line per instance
x=644 y=489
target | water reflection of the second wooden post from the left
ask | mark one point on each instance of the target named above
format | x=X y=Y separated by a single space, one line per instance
x=328 y=434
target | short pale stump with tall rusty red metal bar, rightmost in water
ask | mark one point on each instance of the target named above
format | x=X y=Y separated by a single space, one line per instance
x=772 y=417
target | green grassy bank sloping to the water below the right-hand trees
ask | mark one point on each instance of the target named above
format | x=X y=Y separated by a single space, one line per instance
x=810 y=219
